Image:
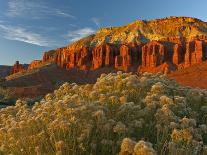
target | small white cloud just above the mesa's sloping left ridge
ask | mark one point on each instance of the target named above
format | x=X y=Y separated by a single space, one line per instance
x=79 y=33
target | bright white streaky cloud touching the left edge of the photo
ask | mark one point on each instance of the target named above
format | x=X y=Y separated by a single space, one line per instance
x=21 y=34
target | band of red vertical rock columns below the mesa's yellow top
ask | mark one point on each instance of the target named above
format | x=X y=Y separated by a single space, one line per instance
x=154 y=56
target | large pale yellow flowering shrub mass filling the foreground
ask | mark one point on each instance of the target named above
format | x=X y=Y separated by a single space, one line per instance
x=155 y=114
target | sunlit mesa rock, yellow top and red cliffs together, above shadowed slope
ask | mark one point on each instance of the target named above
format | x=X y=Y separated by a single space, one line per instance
x=161 y=45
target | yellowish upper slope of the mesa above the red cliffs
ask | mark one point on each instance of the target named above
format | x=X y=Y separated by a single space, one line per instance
x=143 y=31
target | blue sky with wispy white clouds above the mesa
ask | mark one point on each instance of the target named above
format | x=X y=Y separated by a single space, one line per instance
x=30 y=27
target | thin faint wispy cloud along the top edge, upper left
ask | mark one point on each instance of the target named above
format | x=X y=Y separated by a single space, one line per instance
x=35 y=9
